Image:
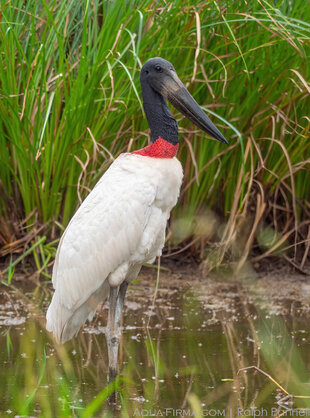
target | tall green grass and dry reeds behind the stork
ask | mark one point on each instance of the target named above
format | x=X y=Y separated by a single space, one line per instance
x=70 y=102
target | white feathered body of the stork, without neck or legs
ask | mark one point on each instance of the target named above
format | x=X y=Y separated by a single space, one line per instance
x=118 y=227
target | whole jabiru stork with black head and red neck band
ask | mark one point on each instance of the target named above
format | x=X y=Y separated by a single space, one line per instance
x=121 y=224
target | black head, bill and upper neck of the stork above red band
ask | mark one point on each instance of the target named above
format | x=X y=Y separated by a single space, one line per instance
x=159 y=81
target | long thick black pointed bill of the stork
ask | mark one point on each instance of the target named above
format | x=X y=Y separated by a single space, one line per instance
x=177 y=94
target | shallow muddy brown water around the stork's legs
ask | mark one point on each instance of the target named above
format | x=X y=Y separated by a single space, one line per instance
x=184 y=354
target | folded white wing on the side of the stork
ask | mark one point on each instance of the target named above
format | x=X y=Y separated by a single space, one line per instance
x=104 y=234
